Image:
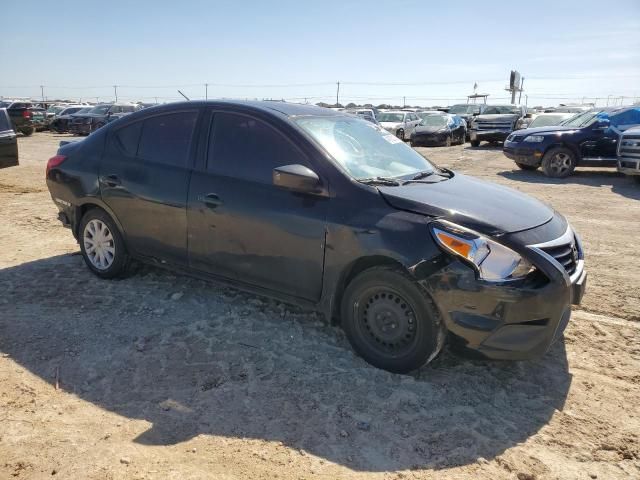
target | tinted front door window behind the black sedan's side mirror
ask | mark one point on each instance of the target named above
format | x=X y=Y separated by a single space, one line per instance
x=243 y=147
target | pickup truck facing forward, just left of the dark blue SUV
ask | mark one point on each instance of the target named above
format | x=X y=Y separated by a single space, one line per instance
x=495 y=123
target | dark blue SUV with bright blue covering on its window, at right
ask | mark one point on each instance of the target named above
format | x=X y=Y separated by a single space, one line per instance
x=587 y=139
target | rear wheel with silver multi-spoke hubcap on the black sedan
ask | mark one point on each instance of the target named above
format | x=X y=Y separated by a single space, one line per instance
x=110 y=261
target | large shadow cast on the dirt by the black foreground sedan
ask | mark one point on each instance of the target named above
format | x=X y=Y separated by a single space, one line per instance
x=195 y=357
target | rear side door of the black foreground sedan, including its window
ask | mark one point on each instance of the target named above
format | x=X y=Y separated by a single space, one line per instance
x=144 y=179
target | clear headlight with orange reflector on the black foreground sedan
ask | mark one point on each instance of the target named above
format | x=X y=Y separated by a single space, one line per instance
x=493 y=261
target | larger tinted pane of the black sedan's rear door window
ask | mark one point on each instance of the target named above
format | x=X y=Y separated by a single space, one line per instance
x=167 y=138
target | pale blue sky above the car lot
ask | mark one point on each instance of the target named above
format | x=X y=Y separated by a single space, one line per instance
x=429 y=52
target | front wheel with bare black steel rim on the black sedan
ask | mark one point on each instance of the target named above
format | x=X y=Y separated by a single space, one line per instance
x=389 y=321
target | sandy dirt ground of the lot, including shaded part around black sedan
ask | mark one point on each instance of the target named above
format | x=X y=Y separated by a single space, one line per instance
x=162 y=376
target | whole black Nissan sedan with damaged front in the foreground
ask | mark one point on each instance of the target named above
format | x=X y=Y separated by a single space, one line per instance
x=325 y=210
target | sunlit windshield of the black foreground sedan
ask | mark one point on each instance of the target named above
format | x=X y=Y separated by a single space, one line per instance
x=364 y=150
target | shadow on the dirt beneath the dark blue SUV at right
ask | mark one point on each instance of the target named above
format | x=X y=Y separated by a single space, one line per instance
x=619 y=183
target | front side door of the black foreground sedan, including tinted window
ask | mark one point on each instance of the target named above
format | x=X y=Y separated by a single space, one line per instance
x=243 y=227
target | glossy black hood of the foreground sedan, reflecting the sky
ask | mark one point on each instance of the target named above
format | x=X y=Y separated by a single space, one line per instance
x=482 y=206
